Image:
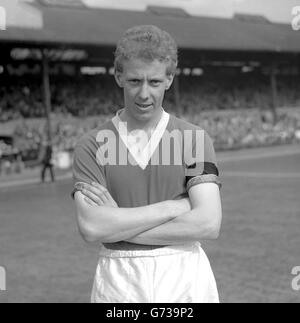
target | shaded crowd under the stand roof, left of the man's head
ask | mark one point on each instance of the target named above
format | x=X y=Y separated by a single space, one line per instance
x=82 y=97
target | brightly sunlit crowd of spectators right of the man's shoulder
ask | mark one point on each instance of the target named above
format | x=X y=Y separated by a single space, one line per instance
x=250 y=128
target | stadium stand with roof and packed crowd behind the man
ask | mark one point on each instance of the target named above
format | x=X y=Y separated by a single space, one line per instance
x=230 y=97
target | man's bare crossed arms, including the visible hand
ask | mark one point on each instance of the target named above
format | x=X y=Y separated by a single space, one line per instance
x=165 y=223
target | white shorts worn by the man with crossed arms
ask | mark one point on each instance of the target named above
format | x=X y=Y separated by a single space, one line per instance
x=177 y=274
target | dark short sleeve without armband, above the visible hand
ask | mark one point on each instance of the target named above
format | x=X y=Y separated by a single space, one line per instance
x=85 y=166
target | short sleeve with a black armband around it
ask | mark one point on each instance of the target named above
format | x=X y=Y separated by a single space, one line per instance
x=200 y=161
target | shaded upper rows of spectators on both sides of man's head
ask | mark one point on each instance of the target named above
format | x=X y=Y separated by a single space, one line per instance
x=99 y=95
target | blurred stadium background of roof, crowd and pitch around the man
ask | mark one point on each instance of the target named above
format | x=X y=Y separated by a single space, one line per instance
x=238 y=78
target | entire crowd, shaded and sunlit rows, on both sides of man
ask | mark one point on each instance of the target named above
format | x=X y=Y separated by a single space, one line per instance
x=235 y=111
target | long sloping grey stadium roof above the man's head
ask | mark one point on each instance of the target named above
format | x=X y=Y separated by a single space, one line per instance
x=80 y=25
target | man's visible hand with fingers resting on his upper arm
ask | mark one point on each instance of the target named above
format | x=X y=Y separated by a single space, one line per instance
x=96 y=194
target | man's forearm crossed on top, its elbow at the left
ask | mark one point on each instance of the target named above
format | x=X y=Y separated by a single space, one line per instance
x=109 y=224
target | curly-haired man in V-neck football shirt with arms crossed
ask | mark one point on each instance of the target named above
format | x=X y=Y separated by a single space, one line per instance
x=141 y=192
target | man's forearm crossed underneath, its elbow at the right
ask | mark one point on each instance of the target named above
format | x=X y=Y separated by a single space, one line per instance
x=186 y=228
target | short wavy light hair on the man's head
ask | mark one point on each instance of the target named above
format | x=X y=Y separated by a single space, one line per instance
x=149 y=43
